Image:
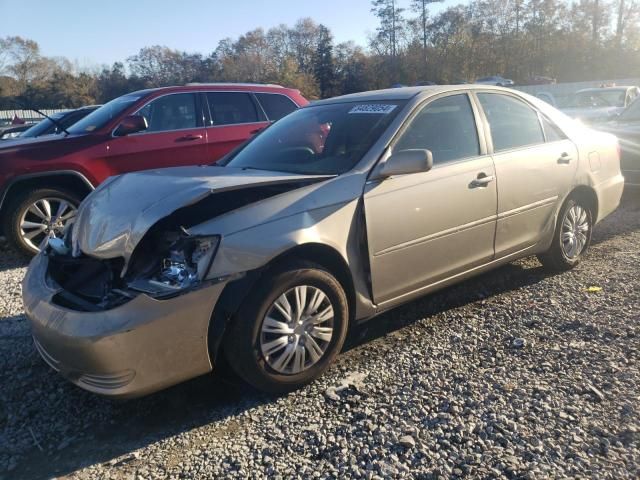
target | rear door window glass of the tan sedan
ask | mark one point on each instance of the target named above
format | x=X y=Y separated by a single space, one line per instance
x=513 y=123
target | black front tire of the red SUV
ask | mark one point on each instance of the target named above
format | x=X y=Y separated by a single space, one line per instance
x=18 y=211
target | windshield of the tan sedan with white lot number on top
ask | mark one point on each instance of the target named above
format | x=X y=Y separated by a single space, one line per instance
x=321 y=140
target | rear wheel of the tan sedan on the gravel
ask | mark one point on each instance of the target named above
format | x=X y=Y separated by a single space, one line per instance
x=560 y=256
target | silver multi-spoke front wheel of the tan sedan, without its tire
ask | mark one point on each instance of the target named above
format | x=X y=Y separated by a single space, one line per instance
x=297 y=330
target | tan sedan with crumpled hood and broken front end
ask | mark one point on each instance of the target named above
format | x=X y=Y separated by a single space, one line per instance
x=335 y=213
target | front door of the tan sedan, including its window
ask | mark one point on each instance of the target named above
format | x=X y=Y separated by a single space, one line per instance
x=425 y=227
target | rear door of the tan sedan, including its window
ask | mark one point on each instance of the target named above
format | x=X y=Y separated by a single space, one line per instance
x=535 y=166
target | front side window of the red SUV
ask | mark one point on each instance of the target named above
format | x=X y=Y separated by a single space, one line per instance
x=170 y=112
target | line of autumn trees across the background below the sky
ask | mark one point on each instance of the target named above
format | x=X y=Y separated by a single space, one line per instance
x=519 y=39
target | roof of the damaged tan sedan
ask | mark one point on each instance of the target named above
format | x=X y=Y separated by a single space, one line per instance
x=405 y=93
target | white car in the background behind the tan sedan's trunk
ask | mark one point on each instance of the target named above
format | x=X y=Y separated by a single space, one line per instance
x=593 y=105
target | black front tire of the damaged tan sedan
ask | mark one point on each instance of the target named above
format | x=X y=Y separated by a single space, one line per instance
x=246 y=341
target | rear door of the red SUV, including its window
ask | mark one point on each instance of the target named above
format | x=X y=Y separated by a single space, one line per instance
x=232 y=118
